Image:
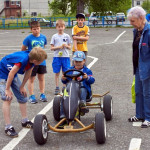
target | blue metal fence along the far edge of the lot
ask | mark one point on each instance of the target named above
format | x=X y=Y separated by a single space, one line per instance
x=8 y=23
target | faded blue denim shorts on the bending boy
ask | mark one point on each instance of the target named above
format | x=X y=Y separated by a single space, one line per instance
x=15 y=86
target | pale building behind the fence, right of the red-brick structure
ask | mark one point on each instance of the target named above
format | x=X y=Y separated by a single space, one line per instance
x=35 y=7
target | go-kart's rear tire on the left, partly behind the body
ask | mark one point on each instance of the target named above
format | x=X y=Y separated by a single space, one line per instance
x=56 y=107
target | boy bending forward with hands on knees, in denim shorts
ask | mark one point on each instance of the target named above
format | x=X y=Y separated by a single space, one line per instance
x=11 y=65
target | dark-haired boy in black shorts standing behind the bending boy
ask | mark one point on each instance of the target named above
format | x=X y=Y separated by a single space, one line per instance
x=36 y=40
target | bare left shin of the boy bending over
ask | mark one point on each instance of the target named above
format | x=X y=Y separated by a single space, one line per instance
x=6 y=111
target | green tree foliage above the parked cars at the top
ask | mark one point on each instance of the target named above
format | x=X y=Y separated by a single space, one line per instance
x=70 y=7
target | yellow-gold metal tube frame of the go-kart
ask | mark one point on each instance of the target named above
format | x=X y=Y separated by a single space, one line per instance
x=70 y=127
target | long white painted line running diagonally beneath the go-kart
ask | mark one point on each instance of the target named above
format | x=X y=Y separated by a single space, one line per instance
x=14 y=142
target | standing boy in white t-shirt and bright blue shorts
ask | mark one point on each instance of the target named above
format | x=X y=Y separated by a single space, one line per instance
x=60 y=44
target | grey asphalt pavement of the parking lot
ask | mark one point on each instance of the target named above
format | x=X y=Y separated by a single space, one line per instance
x=112 y=72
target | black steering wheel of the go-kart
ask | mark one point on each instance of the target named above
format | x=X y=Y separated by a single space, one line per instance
x=80 y=73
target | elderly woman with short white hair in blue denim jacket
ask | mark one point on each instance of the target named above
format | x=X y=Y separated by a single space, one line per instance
x=141 y=64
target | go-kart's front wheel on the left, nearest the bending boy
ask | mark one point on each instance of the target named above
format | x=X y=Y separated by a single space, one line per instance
x=40 y=128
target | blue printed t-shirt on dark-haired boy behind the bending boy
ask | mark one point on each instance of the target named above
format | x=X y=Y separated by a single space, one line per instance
x=32 y=41
